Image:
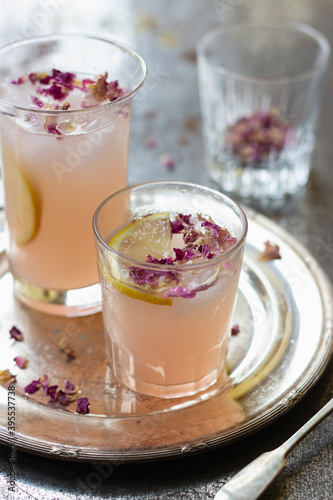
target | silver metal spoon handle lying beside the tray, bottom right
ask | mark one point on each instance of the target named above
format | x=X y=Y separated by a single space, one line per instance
x=250 y=482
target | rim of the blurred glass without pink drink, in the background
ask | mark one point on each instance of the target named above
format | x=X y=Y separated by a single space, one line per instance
x=293 y=26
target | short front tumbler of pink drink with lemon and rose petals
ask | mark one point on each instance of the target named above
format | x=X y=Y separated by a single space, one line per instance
x=169 y=257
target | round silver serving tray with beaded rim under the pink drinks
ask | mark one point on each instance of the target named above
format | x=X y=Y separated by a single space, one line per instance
x=284 y=310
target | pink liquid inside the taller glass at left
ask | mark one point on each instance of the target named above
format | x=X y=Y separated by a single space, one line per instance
x=67 y=178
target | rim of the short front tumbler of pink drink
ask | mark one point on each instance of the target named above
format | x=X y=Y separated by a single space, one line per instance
x=181 y=267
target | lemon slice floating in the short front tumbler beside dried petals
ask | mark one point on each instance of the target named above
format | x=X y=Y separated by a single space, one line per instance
x=150 y=235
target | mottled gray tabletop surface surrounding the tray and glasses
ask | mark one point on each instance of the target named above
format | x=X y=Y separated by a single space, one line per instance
x=165 y=33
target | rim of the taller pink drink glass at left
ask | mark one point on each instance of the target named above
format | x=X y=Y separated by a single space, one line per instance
x=46 y=38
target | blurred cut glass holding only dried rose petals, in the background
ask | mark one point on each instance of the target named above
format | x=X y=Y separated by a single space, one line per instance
x=260 y=87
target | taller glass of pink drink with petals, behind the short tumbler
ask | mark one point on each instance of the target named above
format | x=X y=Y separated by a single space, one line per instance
x=64 y=123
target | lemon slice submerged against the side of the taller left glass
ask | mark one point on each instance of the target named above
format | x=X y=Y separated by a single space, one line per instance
x=21 y=203
